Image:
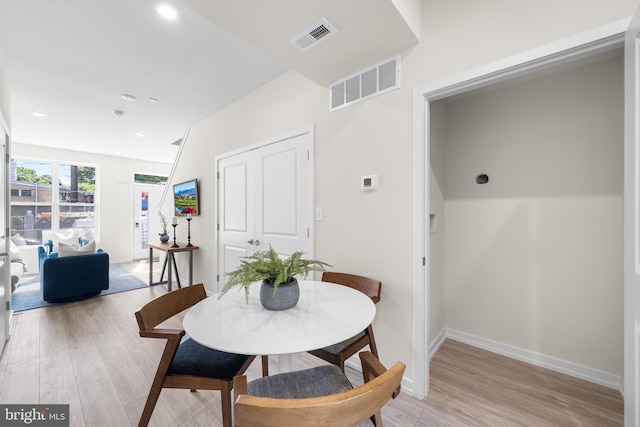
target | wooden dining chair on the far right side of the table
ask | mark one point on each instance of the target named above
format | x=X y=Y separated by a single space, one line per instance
x=339 y=353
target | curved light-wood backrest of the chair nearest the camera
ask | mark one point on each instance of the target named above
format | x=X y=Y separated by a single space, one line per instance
x=344 y=409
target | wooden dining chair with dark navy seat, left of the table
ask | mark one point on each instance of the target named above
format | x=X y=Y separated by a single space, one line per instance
x=185 y=363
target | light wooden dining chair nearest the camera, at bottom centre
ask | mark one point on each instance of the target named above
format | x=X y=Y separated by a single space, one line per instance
x=320 y=396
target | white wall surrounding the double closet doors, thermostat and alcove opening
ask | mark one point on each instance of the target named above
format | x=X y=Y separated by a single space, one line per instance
x=371 y=234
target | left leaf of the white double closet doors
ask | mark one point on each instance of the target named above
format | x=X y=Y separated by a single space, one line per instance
x=236 y=200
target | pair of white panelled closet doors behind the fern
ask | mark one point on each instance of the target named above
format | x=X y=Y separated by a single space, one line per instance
x=264 y=199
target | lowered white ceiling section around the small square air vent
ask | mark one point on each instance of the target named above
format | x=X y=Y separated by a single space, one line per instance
x=368 y=31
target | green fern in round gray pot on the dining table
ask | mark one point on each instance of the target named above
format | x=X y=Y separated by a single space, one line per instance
x=275 y=273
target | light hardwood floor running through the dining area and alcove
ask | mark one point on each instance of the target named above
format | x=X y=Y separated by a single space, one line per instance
x=89 y=354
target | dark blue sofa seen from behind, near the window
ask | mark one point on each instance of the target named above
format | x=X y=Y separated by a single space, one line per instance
x=72 y=278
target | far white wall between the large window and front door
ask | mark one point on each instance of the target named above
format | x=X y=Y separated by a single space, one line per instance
x=116 y=192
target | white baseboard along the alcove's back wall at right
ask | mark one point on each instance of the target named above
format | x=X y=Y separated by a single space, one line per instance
x=562 y=366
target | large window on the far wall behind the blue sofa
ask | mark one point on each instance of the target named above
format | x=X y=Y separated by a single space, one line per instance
x=49 y=197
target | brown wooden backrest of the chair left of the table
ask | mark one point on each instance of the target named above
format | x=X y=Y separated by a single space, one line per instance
x=168 y=305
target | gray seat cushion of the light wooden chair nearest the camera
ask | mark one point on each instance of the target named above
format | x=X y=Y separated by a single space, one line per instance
x=314 y=382
